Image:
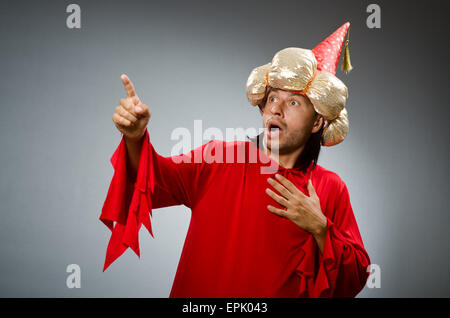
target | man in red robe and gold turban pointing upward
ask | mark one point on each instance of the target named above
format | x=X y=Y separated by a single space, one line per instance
x=290 y=233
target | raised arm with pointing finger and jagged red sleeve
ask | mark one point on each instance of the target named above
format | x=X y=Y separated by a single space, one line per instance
x=143 y=180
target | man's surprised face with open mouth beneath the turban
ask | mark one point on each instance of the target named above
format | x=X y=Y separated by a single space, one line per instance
x=290 y=119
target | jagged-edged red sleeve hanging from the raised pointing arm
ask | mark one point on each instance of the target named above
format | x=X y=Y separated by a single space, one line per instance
x=160 y=182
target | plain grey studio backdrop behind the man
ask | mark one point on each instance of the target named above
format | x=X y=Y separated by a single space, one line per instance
x=190 y=60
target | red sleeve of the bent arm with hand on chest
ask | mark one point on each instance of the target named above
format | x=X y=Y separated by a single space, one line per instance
x=340 y=271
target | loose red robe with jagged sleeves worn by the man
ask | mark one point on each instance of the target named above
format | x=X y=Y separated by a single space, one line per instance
x=236 y=247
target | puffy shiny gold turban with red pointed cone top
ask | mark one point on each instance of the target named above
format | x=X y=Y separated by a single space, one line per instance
x=310 y=73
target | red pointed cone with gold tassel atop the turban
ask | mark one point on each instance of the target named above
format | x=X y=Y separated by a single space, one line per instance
x=327 y=53
